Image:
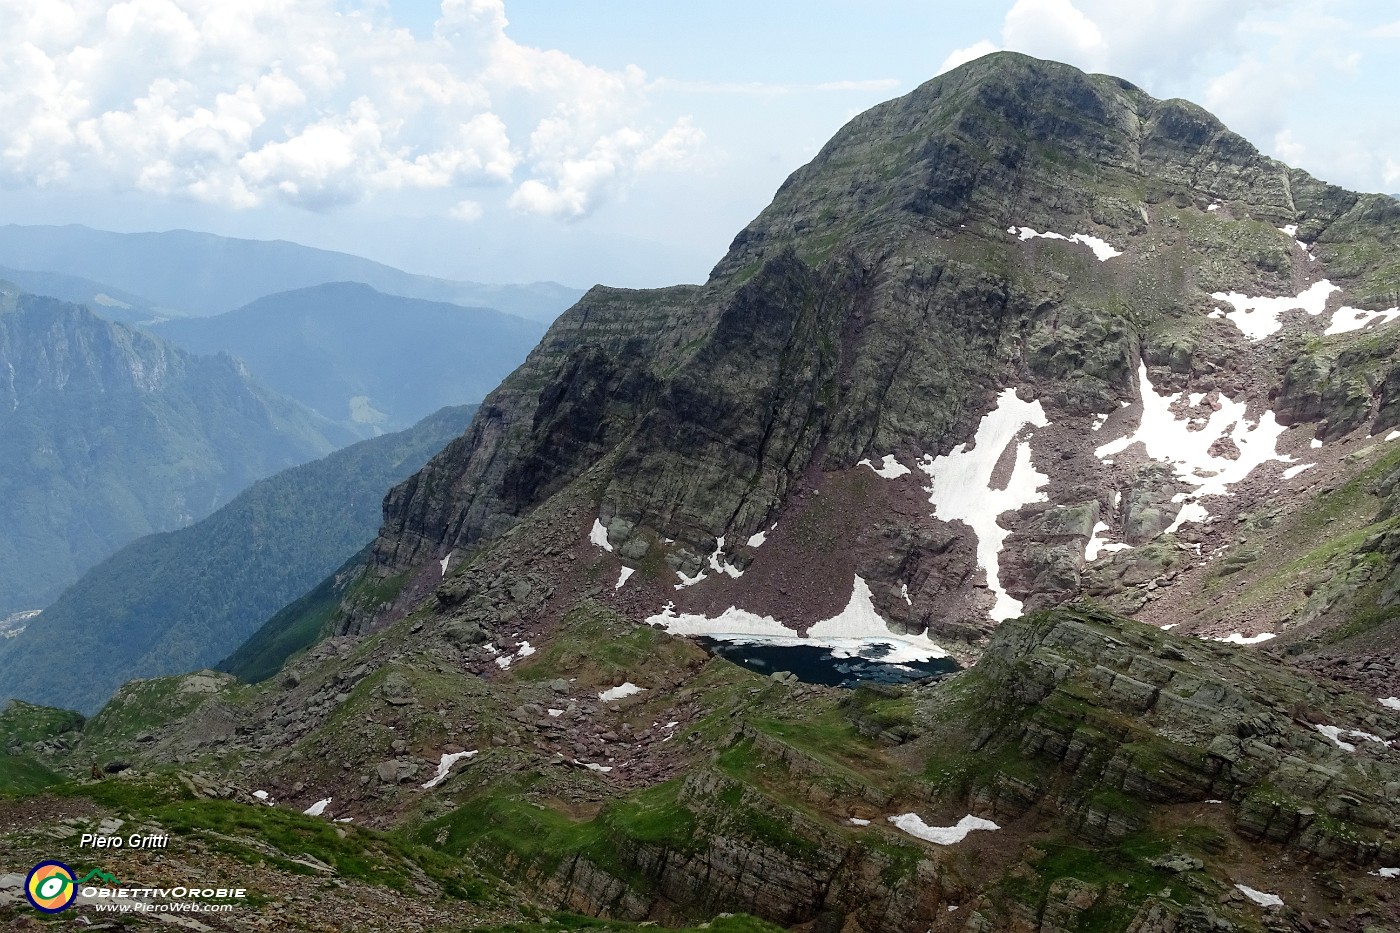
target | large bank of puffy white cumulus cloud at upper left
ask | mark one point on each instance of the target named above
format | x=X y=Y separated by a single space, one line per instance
x=313 y=106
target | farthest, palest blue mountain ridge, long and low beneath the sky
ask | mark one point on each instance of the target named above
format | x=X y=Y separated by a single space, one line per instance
x=202 y=274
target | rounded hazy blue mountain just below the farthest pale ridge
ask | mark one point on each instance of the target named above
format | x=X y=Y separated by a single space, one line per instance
x=360 y=357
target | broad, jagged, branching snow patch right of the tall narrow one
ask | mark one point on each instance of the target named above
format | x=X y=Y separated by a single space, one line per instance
x=1172 y=441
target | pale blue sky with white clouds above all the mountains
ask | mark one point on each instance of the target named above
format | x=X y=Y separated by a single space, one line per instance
x=591 y=141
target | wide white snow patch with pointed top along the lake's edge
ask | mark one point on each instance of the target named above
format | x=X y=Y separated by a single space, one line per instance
x=857 y=631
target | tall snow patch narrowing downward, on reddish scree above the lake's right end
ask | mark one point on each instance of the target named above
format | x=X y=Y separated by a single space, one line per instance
x=961 y=487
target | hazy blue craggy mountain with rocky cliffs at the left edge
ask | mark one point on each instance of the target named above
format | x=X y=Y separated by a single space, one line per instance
x=110 y=435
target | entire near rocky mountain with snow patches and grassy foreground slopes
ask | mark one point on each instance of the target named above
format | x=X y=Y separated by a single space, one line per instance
x=1030 y=375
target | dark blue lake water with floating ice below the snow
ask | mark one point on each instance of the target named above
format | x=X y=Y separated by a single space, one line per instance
x=815 y=665
